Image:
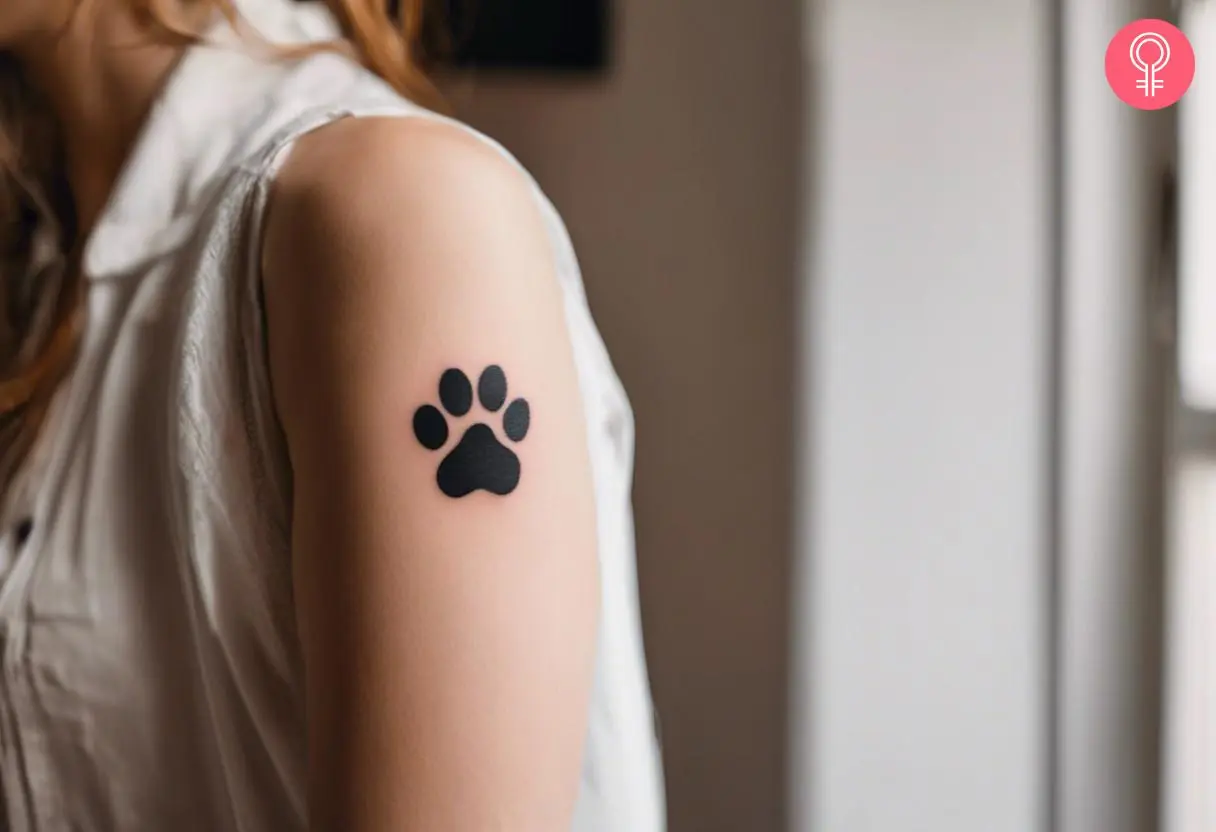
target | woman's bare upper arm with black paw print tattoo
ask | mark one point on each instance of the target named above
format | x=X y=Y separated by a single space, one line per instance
x=448 y=637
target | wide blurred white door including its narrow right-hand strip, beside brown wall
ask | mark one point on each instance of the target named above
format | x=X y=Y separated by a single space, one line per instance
x=979 y=644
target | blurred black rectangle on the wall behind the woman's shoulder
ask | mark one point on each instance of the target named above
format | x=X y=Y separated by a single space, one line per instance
x=543 y=36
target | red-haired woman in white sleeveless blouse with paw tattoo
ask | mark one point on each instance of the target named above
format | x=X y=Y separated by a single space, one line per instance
x=316 y=469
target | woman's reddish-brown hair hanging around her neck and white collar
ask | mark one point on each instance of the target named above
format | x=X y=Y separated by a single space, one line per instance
x=42 y=297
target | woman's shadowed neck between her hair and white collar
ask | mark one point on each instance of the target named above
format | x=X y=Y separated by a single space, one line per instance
x=99 y=77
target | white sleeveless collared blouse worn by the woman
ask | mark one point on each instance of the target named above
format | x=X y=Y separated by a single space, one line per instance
x=151 y=674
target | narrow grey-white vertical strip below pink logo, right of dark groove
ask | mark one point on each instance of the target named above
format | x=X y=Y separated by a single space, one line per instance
x=1111 y=420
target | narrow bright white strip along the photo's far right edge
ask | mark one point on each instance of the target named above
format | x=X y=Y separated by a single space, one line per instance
x=1191 y=690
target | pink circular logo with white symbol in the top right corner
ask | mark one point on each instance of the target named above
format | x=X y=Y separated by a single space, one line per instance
x=1151 y=65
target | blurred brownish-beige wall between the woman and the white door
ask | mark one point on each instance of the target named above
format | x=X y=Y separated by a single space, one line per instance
x=678 y=176
